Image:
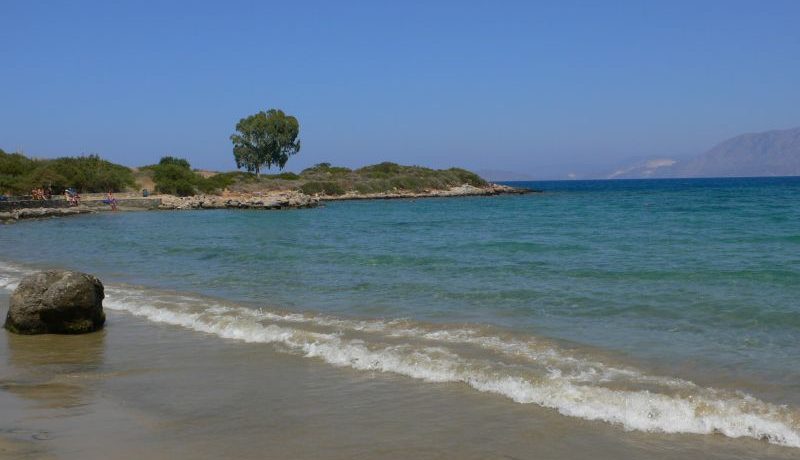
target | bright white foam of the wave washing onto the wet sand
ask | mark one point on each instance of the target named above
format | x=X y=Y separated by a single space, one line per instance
x=702 y=411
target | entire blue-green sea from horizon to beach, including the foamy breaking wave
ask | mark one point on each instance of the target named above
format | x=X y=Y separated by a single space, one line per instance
x=660 y=305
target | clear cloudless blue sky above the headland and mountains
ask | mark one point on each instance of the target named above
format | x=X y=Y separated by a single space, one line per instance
x=542 y=88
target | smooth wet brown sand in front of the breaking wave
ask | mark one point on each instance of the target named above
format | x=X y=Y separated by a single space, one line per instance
x=145 y=390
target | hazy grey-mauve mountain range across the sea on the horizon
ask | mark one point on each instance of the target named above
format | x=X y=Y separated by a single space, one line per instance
x=771 y=153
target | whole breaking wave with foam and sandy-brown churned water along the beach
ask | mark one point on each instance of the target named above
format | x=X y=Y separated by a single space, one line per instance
x=527 y=370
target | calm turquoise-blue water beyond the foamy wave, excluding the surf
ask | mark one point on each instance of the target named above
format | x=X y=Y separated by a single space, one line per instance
x=694 y=279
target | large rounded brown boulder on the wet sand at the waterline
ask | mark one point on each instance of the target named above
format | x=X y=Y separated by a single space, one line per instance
x=56 y=302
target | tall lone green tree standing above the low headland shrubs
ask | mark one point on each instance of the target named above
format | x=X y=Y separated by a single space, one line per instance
x=265 y=139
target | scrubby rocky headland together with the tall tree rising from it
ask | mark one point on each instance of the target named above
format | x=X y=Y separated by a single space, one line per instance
x=32 y=187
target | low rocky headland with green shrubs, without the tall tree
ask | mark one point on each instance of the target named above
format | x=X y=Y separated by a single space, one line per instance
x=149 y=188
